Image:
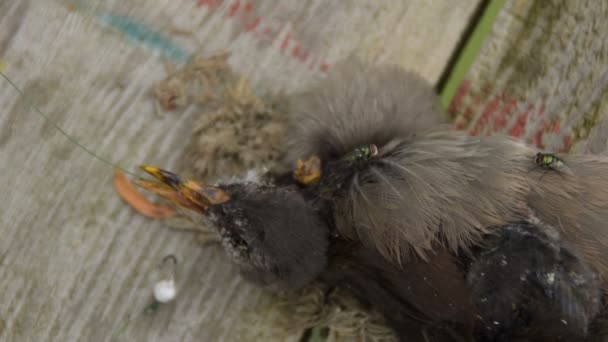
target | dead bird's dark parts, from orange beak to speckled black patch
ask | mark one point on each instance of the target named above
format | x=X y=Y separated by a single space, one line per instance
x=507 y=285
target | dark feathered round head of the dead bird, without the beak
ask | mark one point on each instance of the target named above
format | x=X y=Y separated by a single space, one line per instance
x=272 y=234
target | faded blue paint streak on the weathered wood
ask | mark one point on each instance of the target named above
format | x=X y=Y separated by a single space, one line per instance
x=143 y=34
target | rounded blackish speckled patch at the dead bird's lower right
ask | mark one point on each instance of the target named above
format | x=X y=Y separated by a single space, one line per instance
x=528 y=284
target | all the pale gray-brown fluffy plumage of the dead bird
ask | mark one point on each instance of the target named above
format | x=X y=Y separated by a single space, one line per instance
x=451 y=187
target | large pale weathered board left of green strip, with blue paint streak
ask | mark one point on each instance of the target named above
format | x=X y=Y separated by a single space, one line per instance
x=75 y=262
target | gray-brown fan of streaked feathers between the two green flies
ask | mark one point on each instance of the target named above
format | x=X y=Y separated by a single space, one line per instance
x=444 y=187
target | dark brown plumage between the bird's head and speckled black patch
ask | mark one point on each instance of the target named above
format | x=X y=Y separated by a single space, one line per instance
x=428 y=300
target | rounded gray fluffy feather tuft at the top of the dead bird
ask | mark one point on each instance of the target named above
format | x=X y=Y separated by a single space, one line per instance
x=358 y=103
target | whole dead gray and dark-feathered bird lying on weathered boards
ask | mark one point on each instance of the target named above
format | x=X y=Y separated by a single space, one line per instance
x=419 y=226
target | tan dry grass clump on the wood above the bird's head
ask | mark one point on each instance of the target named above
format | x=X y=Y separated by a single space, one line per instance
x=236 y=130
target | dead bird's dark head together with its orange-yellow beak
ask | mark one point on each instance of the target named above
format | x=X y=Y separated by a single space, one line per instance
x=271 y=233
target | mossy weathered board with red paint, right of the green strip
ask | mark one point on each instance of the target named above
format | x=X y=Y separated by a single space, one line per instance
x=542 y=76
